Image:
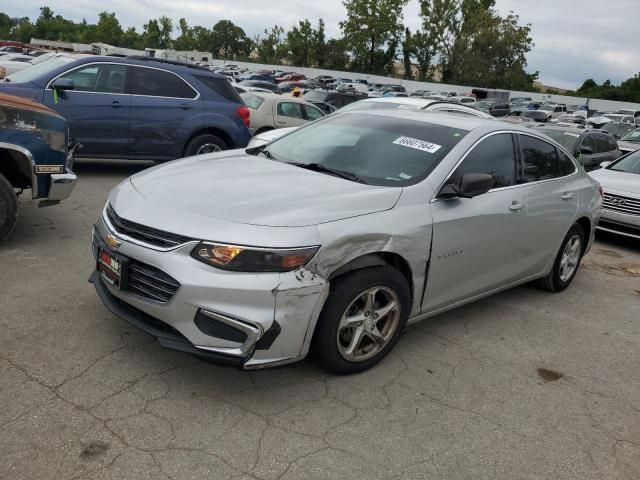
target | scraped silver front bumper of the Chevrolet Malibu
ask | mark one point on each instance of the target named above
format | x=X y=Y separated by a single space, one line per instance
x=271 y=316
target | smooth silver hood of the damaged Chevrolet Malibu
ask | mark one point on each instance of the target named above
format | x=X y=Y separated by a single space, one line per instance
x=237 y=187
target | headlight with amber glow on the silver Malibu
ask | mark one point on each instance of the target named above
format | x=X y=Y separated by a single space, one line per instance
x=252 y=259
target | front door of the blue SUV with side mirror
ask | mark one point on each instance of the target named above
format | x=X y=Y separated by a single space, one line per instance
x=97 y=108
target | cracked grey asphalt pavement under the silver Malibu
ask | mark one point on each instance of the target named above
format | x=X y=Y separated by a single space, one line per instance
x=523 y=385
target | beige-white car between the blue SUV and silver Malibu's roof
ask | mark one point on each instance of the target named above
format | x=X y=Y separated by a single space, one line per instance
x=270 y=111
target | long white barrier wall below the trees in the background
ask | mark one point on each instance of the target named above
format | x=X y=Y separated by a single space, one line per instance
x=411 y=85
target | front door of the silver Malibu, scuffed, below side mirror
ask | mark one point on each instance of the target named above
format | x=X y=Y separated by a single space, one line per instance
x=476 y=240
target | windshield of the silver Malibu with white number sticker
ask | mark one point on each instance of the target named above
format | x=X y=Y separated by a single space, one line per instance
x=378 y=150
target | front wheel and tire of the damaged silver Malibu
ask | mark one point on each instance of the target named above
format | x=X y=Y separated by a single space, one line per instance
x=349 y=294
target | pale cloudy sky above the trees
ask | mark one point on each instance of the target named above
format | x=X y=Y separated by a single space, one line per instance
x=574 y=39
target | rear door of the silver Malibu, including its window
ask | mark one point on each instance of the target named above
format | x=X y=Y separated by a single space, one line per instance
x=552 y=195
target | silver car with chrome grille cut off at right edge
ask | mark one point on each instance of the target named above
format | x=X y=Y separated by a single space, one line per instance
x=620 y=181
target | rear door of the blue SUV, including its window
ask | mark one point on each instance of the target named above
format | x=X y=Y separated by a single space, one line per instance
x=164 y=109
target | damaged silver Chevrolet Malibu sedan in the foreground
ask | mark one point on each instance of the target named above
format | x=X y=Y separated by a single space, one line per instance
x=333 y=238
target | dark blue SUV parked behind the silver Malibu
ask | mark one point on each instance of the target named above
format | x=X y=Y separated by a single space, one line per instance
x=138 y=107
